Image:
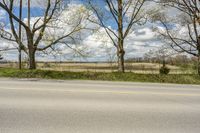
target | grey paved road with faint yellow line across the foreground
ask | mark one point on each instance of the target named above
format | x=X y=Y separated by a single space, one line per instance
x=97 y=107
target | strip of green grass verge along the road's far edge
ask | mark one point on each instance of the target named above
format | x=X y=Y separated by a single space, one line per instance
x=155 y=78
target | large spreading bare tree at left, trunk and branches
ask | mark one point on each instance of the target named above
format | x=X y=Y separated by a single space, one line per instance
x=35 y=30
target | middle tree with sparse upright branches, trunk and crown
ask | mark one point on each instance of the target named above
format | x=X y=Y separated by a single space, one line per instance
x=124 y=13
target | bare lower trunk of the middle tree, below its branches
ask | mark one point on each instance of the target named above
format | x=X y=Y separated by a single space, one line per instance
x=121 y=67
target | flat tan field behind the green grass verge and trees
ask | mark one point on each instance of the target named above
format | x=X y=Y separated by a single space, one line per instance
x=141 y=68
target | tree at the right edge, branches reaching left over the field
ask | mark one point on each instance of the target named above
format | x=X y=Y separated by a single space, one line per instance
x=183 y=32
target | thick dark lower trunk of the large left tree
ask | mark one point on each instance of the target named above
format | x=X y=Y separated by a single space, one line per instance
x=32 y=63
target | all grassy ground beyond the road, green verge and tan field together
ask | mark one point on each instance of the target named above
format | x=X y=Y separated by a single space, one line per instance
x=135 y=72
